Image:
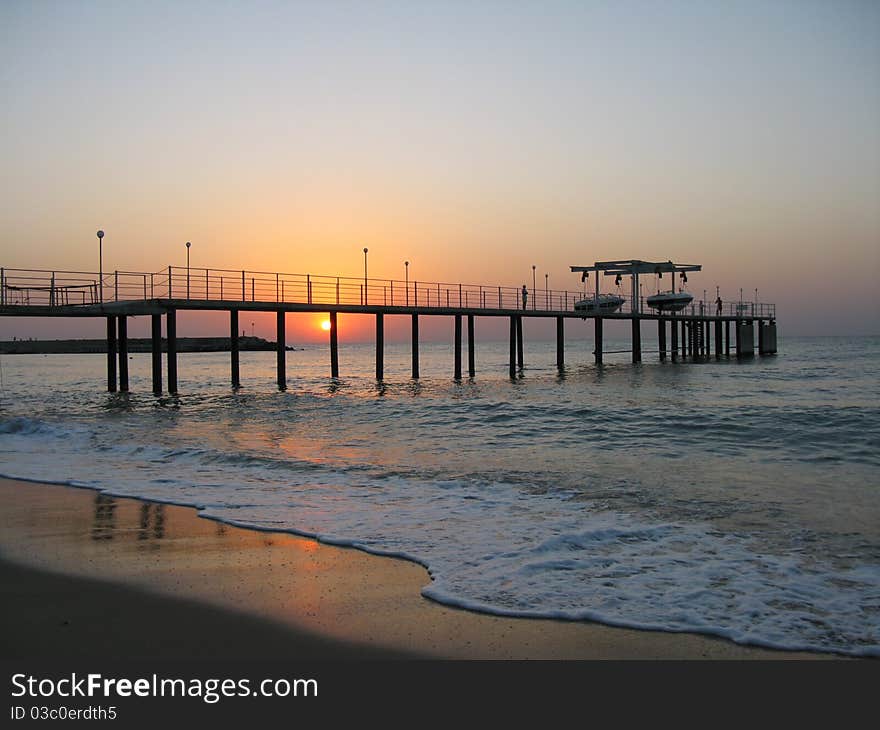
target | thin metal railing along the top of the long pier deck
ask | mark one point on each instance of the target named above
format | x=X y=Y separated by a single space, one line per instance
x=31 y=287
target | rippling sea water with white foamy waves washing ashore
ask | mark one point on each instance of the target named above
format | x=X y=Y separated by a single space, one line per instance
x=739 y=499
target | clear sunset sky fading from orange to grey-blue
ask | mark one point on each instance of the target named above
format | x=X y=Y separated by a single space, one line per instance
x=473 y=139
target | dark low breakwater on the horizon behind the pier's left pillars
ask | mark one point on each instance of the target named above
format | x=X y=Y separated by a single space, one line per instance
x=140 y=344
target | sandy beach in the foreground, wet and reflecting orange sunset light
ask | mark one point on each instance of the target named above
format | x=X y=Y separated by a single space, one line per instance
x=84 y=574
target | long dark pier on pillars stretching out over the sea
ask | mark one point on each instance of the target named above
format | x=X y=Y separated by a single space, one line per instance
x=121 y=294
